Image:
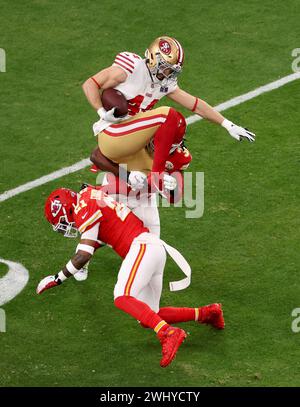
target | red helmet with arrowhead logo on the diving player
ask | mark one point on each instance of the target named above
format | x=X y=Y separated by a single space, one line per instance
x=59 y=211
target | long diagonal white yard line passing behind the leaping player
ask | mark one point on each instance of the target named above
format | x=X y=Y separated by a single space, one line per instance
x=190 y=120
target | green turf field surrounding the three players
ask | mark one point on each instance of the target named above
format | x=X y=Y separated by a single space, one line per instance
x=244 y=251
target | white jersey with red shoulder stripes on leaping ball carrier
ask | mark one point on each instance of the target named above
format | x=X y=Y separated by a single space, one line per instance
x=141 y=92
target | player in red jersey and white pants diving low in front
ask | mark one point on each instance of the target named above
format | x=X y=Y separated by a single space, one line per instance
x=101 y=220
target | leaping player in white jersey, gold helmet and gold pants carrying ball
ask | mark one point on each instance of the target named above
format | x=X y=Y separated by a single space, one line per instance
x=144 y=82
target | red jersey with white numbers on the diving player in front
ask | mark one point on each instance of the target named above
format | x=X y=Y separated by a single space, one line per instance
x=118 y=225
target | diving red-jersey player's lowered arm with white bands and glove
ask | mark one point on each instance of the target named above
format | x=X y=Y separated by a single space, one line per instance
x=83 y=255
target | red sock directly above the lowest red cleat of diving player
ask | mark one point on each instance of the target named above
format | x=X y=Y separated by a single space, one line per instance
x=140 y=311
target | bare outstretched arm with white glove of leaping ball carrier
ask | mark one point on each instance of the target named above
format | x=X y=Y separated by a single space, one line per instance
x=204 y=110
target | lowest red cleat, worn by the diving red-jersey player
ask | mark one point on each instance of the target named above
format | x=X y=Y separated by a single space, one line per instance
x=170 y=339
